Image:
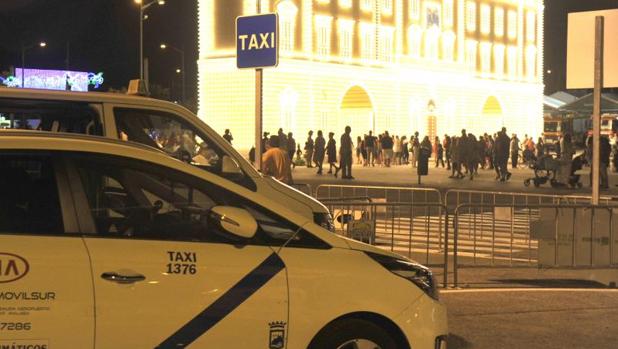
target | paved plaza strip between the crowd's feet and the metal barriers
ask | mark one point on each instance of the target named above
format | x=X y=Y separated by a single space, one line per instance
x=438 y=178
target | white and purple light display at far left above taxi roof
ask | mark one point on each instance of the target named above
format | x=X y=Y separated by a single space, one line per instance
x=54 y=79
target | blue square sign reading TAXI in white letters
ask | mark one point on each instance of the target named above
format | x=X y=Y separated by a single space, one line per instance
x=257 y=41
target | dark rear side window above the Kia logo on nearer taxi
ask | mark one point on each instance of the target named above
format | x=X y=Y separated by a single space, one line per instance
x=29 y=201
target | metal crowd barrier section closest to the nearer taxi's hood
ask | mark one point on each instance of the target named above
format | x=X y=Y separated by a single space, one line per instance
x=397 y=227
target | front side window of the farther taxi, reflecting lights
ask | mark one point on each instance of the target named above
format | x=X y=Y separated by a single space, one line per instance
x=166 y=132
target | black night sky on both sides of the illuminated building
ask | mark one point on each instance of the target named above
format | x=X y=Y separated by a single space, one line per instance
x=103 y=36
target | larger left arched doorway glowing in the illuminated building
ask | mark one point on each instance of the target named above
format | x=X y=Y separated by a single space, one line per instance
x=356 y=111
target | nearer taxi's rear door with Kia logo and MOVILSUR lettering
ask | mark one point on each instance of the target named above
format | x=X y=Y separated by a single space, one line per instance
x=46 y=294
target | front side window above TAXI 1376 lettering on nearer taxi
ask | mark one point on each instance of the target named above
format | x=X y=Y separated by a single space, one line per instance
x=137 y=203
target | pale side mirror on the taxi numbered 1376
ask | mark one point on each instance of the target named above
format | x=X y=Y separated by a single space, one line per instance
x=232 y=222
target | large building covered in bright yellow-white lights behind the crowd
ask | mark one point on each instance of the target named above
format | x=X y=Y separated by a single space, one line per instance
x=433 y=66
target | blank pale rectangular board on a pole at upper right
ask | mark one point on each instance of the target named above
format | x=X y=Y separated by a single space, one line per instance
x=580 y=50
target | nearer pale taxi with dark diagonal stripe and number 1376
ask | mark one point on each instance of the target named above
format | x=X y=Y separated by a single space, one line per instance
x=110 y=244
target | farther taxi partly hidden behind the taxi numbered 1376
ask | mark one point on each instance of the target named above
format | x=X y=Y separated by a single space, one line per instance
x=156 y=123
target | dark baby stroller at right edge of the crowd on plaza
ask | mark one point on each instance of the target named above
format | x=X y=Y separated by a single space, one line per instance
x=559 y=173
